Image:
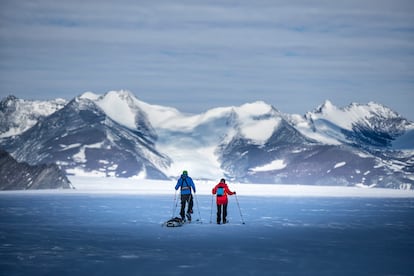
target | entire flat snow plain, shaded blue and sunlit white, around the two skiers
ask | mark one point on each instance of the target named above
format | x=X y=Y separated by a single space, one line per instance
x=113 y=227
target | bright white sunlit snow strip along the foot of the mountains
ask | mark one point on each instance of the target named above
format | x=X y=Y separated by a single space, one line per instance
x=204 y=187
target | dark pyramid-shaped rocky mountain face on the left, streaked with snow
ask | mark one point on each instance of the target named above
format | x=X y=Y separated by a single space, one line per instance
x=84 y=140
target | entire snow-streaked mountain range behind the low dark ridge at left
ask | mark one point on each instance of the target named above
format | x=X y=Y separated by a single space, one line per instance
x=117 y=135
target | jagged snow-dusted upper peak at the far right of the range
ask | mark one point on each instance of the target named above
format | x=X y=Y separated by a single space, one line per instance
x=367 y=126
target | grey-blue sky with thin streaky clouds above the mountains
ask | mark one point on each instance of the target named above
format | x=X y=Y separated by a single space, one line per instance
x=195 y=55
